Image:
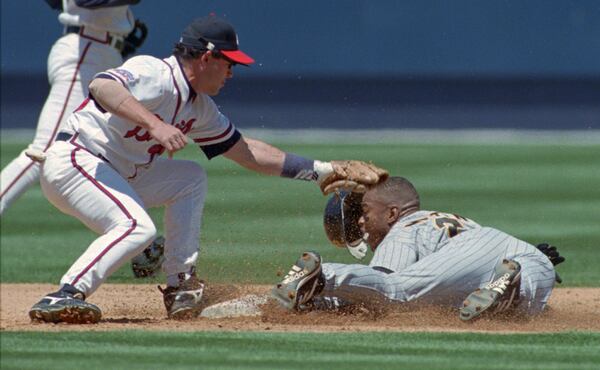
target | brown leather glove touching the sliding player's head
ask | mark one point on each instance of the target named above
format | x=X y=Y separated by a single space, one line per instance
x=352 y=176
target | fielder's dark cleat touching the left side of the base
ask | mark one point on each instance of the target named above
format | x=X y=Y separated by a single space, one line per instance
x=184 y=301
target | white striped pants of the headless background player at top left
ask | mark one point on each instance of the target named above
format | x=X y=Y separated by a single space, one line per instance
x=72 y=63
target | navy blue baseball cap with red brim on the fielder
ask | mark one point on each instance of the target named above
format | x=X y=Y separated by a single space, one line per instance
x=214 y=34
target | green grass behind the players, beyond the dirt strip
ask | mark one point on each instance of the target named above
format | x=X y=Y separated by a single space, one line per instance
x=254 y=225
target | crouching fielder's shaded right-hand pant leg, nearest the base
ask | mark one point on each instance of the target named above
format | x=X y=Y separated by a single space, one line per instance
x=181 y=187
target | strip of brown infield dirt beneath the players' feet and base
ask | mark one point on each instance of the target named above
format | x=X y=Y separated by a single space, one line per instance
x=140 y=307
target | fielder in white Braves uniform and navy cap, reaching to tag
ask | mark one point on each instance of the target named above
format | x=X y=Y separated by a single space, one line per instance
x=106 y=167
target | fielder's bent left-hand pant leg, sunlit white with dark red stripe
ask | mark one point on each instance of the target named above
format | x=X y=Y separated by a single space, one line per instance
x=82 y=185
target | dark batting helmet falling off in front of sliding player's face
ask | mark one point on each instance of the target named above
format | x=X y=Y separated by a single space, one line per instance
x=341 y=216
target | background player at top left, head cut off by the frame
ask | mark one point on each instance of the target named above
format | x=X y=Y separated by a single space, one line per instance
x=92 y=42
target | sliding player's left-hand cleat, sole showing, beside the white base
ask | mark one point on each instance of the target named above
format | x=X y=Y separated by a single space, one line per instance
x=302 y=282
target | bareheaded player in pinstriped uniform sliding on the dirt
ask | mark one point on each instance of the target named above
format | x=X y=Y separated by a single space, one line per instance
x=434 y=257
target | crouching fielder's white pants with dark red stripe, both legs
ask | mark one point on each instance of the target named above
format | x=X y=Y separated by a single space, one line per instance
x=88 y=188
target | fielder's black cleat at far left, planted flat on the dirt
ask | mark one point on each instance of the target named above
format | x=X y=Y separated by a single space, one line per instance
x=67 y=305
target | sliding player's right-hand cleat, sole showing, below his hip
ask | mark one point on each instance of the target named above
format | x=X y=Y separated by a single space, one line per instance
x=498 y=296
